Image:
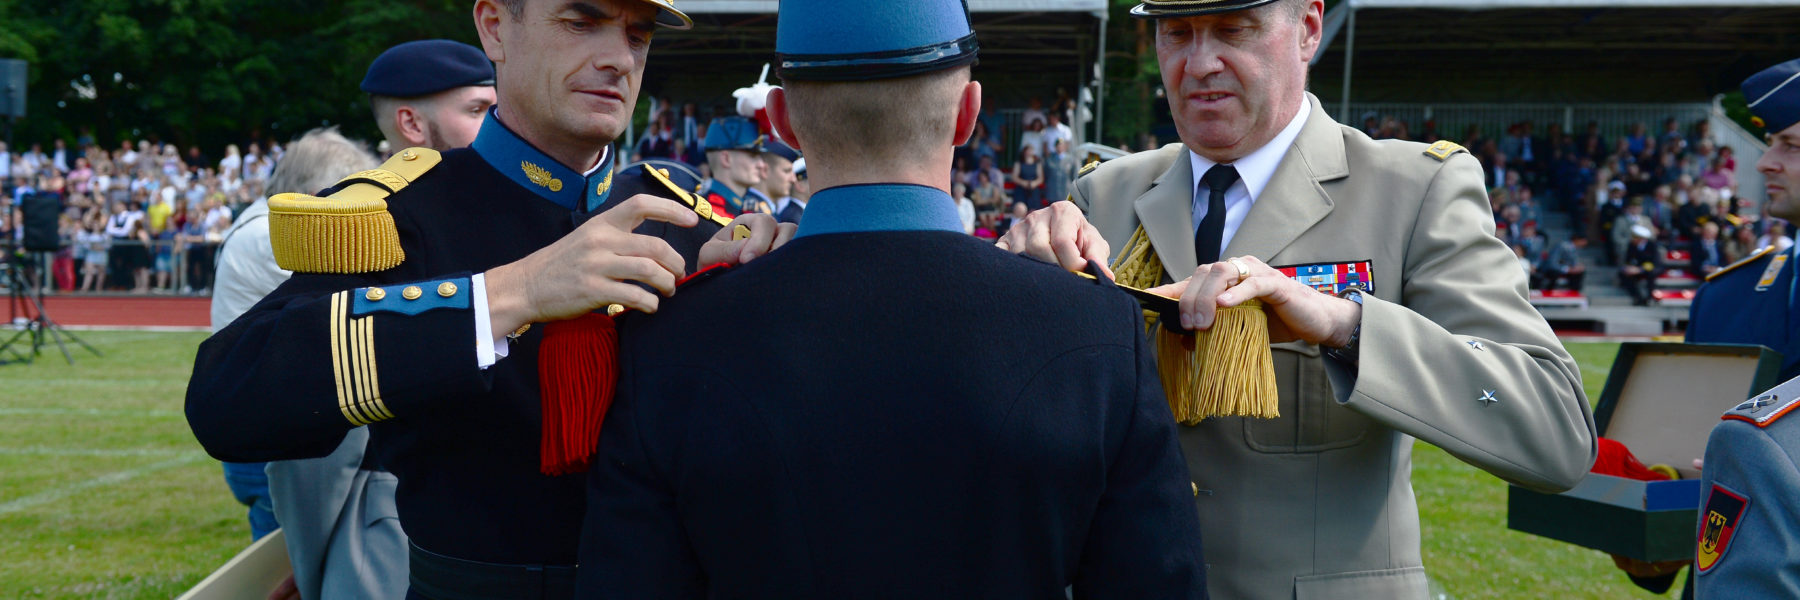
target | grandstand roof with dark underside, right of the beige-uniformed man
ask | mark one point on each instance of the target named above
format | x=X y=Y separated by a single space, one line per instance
x=1561 y=51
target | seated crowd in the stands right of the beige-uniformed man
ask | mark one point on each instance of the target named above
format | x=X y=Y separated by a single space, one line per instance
x=1664 y=208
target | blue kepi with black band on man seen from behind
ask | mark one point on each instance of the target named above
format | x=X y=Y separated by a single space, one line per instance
x=843 y=41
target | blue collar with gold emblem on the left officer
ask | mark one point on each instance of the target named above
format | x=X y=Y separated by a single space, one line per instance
x=534 y=170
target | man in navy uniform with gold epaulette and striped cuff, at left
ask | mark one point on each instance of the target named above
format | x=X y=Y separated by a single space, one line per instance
x=417 y=289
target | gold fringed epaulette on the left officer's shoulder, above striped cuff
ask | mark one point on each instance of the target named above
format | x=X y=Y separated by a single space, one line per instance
x=352 y=230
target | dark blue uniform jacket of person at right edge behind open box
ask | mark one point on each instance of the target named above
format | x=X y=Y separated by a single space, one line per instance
x=1752 y=304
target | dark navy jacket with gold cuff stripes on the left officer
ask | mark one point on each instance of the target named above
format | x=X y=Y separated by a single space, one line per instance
x=462 y=441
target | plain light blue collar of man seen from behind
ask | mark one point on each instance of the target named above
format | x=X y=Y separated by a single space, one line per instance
x=879 y=208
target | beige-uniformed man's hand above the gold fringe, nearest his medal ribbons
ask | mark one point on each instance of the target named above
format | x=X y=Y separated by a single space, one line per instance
x=1295 y=311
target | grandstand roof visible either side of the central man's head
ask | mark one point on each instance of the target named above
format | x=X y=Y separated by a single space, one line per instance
x=1029 y=48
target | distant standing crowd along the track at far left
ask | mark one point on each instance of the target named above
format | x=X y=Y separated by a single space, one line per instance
x=143 y=217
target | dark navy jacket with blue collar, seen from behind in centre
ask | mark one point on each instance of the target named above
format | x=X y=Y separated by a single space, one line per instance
x=904 y=414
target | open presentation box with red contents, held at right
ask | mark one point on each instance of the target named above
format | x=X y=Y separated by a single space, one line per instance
x=1662 y=403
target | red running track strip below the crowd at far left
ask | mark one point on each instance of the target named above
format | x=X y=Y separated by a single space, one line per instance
x=120 y=311
